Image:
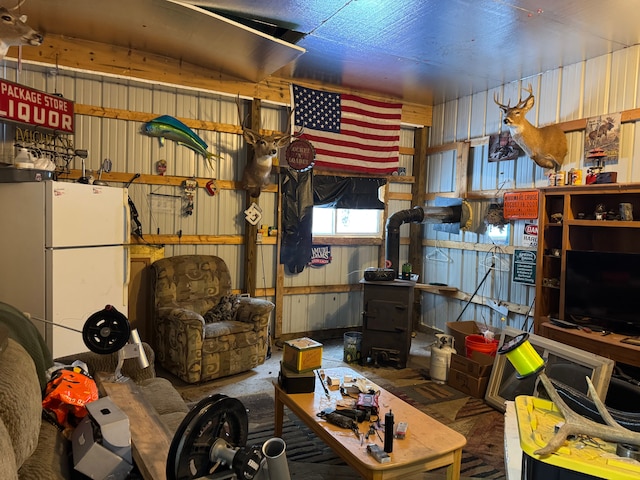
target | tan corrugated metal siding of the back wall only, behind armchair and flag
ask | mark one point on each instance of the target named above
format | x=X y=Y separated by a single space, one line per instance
x=160 y=207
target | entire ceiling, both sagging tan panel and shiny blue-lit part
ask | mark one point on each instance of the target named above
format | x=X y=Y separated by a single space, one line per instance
x=422 y=51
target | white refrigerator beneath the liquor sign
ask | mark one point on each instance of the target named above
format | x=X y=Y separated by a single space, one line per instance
x=63 y=255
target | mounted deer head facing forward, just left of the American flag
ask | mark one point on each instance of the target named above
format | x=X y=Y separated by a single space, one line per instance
x=257 y=172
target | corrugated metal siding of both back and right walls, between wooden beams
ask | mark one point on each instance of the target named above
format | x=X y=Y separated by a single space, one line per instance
x=603 y=85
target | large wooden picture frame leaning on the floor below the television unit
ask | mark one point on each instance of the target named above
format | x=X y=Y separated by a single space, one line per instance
x=563 y=363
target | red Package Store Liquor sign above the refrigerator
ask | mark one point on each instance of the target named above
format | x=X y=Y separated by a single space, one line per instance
x=32 y=107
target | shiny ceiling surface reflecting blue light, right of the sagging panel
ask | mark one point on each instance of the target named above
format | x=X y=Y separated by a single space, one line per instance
x=427 y=51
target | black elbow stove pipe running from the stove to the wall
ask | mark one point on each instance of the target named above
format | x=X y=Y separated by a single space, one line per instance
x=452 y=214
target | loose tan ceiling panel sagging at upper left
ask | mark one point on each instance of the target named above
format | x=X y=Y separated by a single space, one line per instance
x=166 y=28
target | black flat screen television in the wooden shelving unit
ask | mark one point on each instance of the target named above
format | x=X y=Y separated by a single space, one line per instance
x=602 y=289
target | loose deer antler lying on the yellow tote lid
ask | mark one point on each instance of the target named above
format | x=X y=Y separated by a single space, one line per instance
x=575 y=424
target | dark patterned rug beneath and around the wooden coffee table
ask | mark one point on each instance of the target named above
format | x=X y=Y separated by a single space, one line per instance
x=482 y=457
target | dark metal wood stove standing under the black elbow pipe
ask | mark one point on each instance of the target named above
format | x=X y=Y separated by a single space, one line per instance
x=387 y=321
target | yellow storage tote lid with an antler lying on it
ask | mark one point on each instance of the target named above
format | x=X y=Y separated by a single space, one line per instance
x=537 y=419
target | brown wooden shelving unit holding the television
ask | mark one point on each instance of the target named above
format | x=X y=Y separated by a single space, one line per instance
x=567 y=222
